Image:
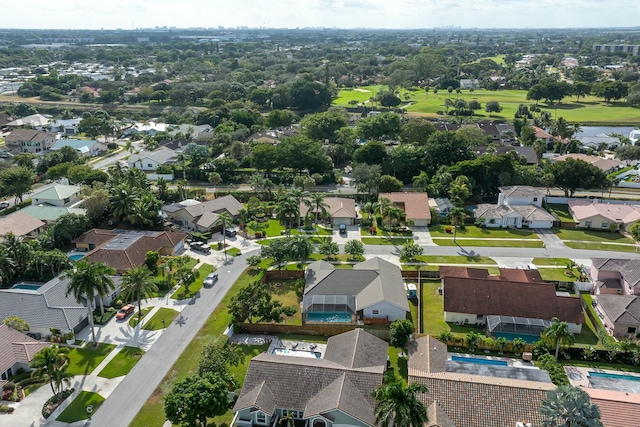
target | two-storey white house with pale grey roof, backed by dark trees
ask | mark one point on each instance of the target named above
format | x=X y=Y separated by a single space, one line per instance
x=518 y=206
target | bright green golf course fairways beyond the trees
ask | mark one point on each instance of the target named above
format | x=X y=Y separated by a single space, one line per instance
x=589 y=110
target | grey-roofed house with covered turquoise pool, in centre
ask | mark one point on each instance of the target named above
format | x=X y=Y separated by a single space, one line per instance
x=372 y=292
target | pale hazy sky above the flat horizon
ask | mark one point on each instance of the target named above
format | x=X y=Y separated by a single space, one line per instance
x=401 y=14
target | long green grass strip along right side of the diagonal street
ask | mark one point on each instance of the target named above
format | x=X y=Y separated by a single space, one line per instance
x=152 y=413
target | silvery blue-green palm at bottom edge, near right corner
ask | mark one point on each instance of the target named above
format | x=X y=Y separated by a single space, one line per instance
x=568 y=406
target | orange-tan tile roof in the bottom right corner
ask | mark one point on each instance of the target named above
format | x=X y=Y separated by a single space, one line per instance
x=617 y=408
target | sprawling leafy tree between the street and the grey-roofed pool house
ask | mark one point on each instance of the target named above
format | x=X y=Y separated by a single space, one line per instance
x=254 y=304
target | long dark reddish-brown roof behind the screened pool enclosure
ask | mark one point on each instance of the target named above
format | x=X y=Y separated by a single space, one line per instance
x=509 y=298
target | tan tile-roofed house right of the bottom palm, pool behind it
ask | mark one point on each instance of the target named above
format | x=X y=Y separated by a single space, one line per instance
x=479 y=399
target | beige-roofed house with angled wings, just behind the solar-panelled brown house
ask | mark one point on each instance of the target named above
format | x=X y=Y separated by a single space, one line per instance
x=201 y=216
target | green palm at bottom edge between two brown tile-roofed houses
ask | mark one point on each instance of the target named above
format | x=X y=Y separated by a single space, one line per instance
x=398 y=405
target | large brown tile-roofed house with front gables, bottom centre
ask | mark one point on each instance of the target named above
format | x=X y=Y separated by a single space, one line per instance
x=331 y=391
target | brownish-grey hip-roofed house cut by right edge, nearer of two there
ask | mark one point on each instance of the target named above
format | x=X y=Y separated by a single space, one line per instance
x=620 y=314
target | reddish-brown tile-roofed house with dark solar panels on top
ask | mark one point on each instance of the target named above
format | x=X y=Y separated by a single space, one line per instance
x=126 y=249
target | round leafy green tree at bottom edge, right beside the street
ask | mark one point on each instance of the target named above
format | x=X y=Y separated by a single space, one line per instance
x=194 y=399
